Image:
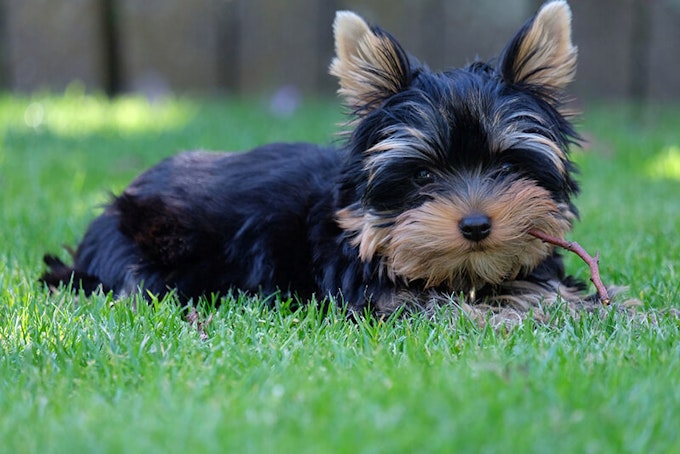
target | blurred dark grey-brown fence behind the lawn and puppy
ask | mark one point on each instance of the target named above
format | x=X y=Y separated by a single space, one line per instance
x=628 y=48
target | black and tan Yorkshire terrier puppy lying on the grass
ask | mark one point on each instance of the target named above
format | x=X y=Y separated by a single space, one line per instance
x=430 y=199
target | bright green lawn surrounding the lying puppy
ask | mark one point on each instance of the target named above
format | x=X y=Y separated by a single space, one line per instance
x=77 y=375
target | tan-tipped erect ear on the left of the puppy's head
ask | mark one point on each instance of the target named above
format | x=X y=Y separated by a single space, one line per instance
x=369 y=63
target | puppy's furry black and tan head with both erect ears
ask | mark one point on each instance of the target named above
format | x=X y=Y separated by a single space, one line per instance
x=447 y=171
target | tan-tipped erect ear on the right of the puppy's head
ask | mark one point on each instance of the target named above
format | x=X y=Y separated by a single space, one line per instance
x=542 y=54
